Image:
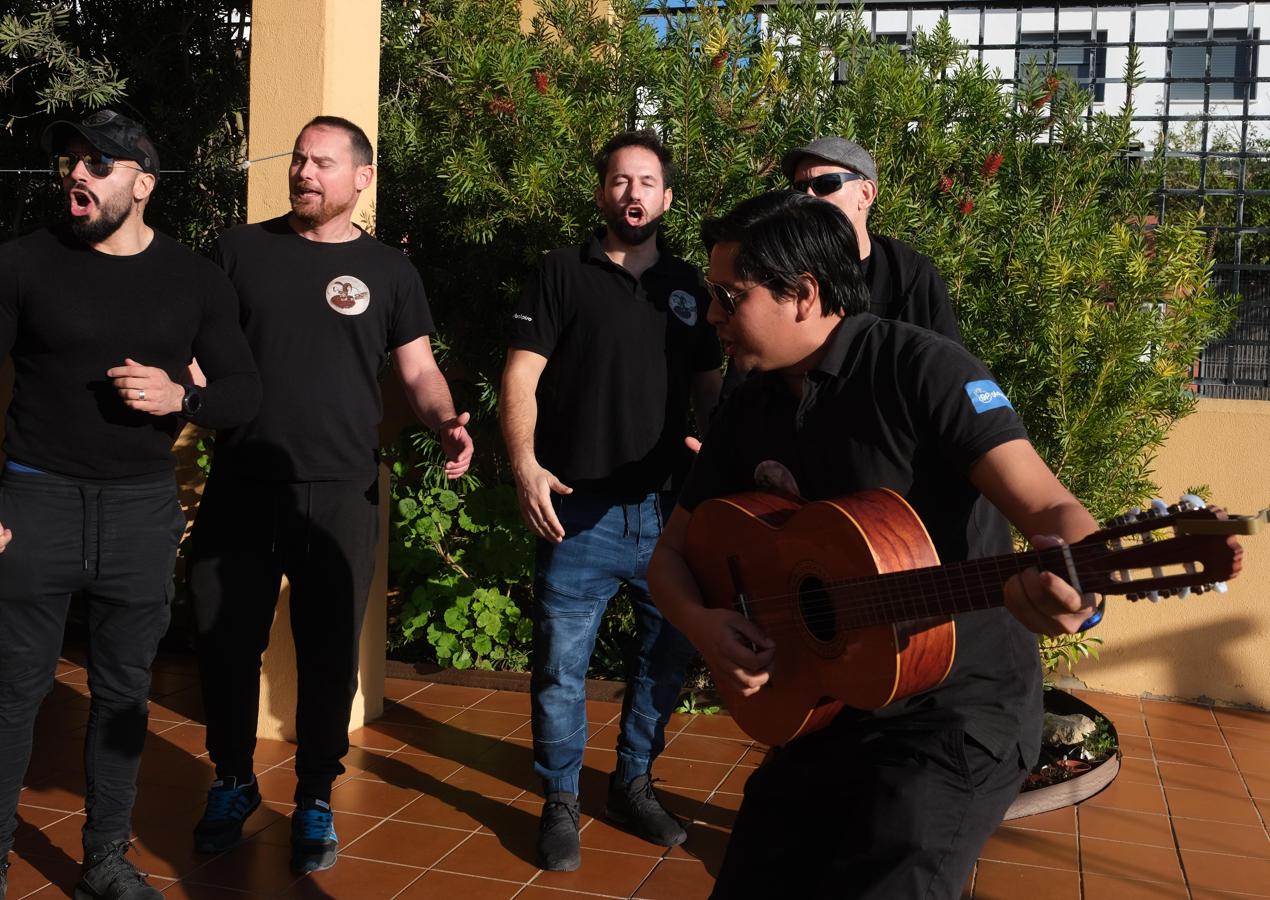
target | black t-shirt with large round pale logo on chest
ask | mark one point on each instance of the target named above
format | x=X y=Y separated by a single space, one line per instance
x=322 y=319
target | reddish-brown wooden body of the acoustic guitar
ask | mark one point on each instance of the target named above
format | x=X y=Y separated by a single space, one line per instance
x=769 y=557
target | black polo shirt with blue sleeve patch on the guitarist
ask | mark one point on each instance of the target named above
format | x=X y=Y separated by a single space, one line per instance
x=893 y=406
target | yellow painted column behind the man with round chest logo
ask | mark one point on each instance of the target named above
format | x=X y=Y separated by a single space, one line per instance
x=314 y=58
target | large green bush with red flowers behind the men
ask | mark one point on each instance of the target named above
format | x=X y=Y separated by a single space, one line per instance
x=1031 y=208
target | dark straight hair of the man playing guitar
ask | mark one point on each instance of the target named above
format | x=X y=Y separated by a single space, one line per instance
x=785 y=235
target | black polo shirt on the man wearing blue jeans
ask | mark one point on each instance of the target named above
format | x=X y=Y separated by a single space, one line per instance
x=622 y=354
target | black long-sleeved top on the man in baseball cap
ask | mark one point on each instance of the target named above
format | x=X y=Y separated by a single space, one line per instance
x=69 y=313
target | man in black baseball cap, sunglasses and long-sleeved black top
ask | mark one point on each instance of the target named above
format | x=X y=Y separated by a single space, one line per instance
x=102 y=317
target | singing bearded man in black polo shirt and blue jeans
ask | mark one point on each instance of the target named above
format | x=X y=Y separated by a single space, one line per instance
x=609 y=342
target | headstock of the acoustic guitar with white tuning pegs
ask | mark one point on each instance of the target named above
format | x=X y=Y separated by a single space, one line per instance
x=1164 y=552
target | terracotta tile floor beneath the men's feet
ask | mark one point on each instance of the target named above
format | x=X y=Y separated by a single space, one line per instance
x=440 y=802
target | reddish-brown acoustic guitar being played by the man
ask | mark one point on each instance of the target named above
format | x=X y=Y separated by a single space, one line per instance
x=860 y=609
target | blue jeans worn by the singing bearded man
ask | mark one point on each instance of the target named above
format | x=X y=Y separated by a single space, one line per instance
x=606 y=544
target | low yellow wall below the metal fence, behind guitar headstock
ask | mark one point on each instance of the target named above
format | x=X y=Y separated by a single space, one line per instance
x=1213 y=647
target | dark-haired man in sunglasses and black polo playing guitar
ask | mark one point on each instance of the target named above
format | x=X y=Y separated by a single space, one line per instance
x=895 y=803
